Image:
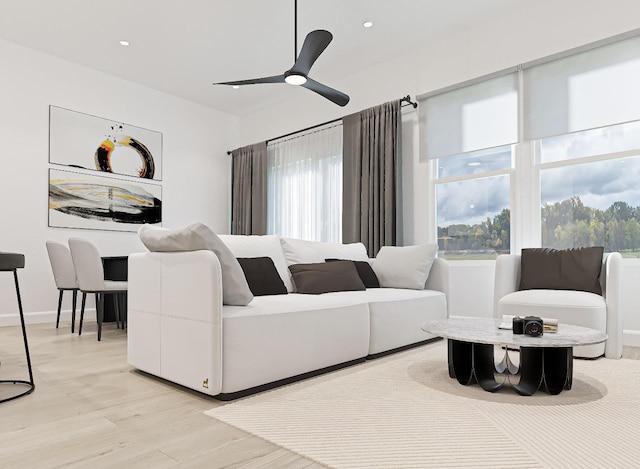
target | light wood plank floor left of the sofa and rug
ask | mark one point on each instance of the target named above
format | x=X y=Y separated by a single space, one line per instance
x=90 y=409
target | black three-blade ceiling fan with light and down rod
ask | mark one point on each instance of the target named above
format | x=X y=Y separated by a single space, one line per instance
x=314 y=44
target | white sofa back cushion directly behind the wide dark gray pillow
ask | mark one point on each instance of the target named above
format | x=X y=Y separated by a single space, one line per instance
x=298 y=251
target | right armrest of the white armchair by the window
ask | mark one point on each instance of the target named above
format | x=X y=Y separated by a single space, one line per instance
x=613 y=269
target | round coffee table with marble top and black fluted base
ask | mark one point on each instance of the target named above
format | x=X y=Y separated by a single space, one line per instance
x=546 y=362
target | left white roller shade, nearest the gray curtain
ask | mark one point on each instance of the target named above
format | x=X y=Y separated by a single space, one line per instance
x=475 y=117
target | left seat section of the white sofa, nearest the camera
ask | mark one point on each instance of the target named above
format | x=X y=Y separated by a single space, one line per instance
x=280 y=336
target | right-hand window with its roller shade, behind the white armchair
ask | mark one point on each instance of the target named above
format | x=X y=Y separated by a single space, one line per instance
x=582 y=114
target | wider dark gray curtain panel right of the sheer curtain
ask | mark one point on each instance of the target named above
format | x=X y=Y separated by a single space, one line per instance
x=371 y=152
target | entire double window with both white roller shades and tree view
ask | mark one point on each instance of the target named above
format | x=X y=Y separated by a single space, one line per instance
x=543 y=154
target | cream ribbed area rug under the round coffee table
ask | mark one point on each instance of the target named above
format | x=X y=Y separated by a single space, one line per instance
x=403 y=411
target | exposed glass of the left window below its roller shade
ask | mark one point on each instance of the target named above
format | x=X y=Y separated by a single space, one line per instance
x=473 y=193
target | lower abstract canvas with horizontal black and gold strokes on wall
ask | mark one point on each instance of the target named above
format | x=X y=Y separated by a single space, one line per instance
x=80 y=200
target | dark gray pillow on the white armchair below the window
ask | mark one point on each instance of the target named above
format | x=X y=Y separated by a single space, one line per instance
x=570 y=269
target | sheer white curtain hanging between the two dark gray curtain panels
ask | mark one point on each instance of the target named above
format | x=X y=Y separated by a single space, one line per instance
x=304 y=185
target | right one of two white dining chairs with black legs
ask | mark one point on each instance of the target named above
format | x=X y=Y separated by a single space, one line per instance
x=90 y=275
